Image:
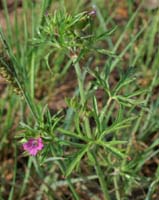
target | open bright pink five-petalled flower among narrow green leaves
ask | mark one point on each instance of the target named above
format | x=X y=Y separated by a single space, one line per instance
x=32 y=146
